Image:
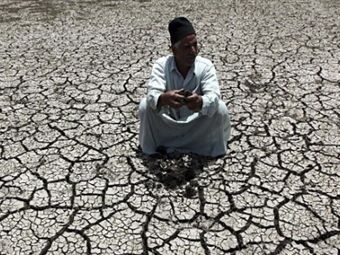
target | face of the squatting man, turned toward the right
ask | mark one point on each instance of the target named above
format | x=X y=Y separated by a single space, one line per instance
x=186 y=51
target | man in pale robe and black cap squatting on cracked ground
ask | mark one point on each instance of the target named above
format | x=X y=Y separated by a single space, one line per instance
x=182 y=110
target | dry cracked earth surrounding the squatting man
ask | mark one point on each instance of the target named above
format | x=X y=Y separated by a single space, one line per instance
x=72 y=179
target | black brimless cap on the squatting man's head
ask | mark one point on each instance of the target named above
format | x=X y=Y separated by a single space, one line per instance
x=179 y=28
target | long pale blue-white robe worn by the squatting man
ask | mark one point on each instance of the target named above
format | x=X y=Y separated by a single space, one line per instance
x=205 y=132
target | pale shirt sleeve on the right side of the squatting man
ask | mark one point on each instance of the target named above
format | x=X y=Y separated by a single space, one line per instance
x=211 y=91
